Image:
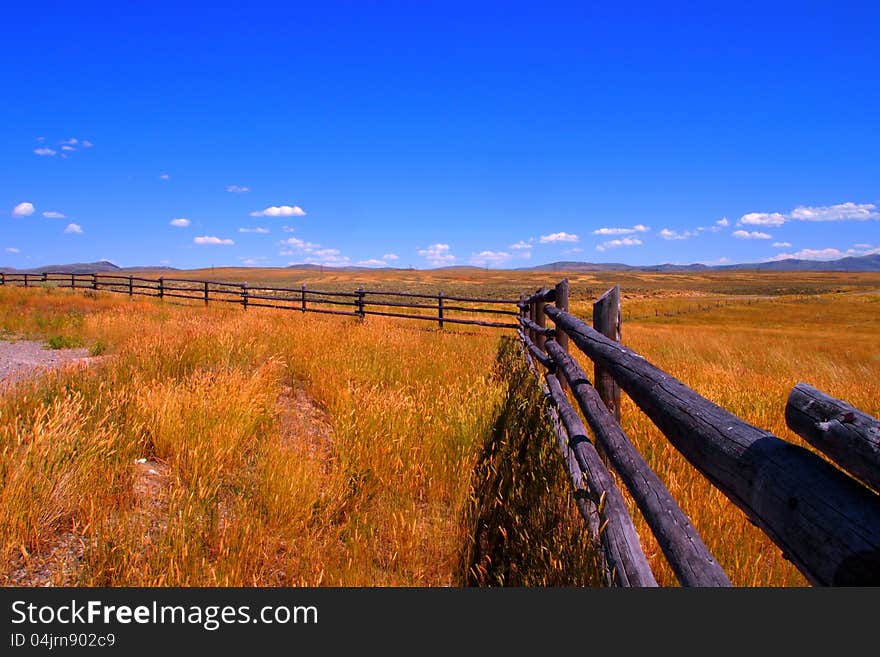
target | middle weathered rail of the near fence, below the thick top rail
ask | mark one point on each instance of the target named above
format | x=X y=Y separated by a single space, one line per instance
x=688 y=556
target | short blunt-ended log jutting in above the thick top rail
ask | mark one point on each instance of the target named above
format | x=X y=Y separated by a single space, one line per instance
x=845 y=434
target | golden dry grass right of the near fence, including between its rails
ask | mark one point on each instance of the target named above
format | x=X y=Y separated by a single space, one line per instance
x=747 y=359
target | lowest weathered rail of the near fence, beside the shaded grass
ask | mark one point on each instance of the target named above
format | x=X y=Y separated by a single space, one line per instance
x=618 y=536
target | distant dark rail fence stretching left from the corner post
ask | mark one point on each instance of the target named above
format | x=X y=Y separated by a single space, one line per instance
x=440 y=308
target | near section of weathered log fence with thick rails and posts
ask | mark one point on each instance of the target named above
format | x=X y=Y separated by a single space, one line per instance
x=825 y=521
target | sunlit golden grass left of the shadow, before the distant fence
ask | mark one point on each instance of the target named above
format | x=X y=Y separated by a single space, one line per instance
x=247 y=502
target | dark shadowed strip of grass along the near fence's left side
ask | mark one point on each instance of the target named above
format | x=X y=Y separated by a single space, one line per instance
x=525 y=529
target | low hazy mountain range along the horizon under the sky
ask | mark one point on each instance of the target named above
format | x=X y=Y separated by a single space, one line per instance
x=866 y=263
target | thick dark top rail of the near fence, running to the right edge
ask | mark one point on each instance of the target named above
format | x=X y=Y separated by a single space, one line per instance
x=827 y=523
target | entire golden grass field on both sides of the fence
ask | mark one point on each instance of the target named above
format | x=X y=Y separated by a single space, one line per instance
x=280 y=448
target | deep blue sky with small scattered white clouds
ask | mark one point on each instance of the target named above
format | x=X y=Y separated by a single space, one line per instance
x=429 y=134
